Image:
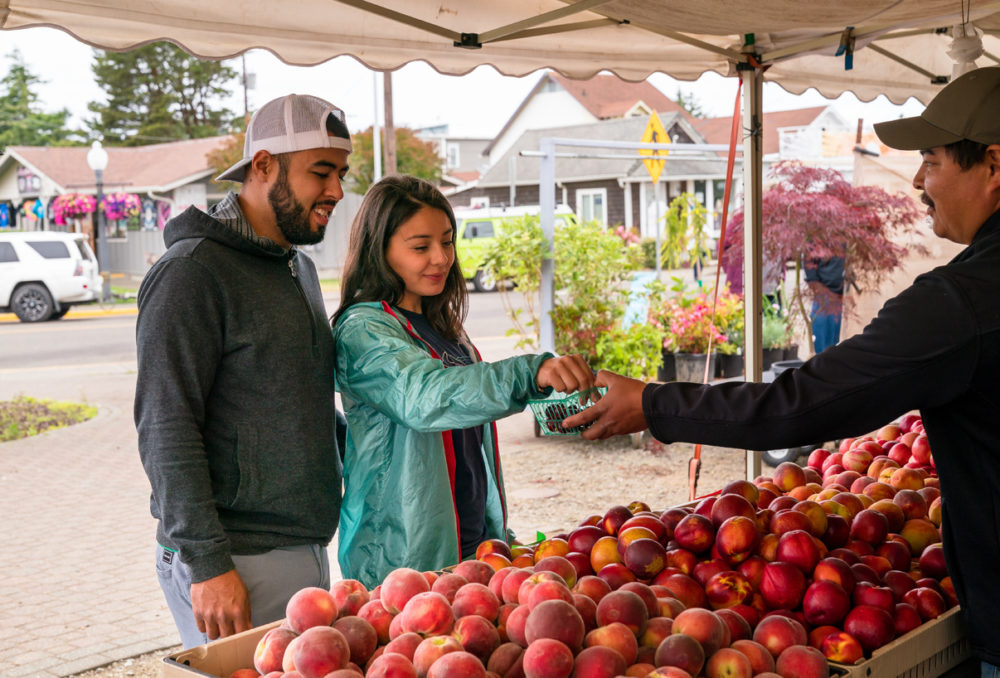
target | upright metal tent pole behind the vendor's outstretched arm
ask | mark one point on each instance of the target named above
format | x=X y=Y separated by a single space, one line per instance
x=753 y=157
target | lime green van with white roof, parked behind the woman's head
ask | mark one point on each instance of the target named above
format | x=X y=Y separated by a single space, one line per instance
x=477 y=229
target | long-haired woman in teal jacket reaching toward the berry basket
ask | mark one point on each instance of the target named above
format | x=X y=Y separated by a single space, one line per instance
x=422 y=479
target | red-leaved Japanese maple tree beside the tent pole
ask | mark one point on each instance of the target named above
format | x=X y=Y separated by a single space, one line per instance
x=814 y=213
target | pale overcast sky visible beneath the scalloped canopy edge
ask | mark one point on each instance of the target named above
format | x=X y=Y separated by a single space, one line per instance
x=476 y=105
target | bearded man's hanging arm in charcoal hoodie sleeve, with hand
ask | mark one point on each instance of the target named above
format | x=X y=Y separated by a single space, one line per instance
x=179 y=340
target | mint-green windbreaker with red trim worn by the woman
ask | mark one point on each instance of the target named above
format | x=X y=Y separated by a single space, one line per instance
x=401 y=404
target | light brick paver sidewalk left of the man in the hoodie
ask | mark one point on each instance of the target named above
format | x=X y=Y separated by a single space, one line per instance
x=78 y=587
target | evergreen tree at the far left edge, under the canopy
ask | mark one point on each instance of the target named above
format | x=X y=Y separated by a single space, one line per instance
x=22 y=122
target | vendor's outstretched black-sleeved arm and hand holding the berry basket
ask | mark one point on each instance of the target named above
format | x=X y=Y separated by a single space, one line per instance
x=920 y=351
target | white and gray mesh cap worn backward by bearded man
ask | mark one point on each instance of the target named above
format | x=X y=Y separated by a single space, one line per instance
x=295 y=122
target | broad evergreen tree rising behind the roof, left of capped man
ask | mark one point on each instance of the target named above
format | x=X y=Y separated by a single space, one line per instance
x=158 y=93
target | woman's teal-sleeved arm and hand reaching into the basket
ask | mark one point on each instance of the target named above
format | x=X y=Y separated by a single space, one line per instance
x=380 y=365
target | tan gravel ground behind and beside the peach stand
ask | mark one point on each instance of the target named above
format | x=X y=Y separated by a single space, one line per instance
x=553 y=484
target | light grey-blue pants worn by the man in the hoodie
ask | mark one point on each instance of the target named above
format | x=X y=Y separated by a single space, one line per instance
x=271 y=578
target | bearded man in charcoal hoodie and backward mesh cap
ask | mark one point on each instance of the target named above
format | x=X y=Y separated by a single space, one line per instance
x=235 y=392
